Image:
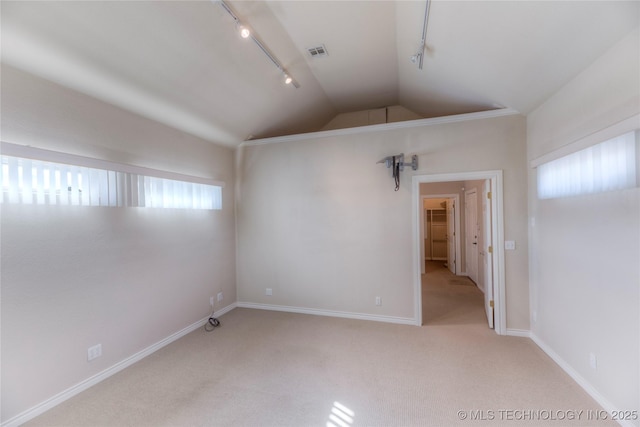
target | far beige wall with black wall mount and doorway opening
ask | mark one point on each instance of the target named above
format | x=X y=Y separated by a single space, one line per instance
x=320 y=223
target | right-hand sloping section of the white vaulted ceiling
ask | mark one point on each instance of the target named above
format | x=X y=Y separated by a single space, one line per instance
x=486 y=54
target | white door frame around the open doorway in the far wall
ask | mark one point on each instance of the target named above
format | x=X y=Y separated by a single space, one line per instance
x=497 y=233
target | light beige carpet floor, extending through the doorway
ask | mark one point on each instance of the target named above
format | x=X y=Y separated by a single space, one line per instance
x=266 y=368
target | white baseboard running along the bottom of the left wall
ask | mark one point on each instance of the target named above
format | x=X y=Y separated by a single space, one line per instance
x=42 y=407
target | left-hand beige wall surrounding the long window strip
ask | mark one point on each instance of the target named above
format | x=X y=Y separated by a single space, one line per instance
x=75 y=276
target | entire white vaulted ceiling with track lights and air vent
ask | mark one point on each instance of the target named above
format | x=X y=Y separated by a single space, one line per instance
x=182 y=63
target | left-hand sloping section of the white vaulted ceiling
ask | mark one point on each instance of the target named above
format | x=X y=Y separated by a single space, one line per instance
x=180 y=63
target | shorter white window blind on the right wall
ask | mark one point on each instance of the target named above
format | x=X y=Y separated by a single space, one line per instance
x=607 y=166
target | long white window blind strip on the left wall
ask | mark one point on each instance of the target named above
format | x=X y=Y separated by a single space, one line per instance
x=29 y=181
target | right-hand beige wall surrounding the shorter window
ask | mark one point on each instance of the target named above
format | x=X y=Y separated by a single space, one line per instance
x=585 y=282
